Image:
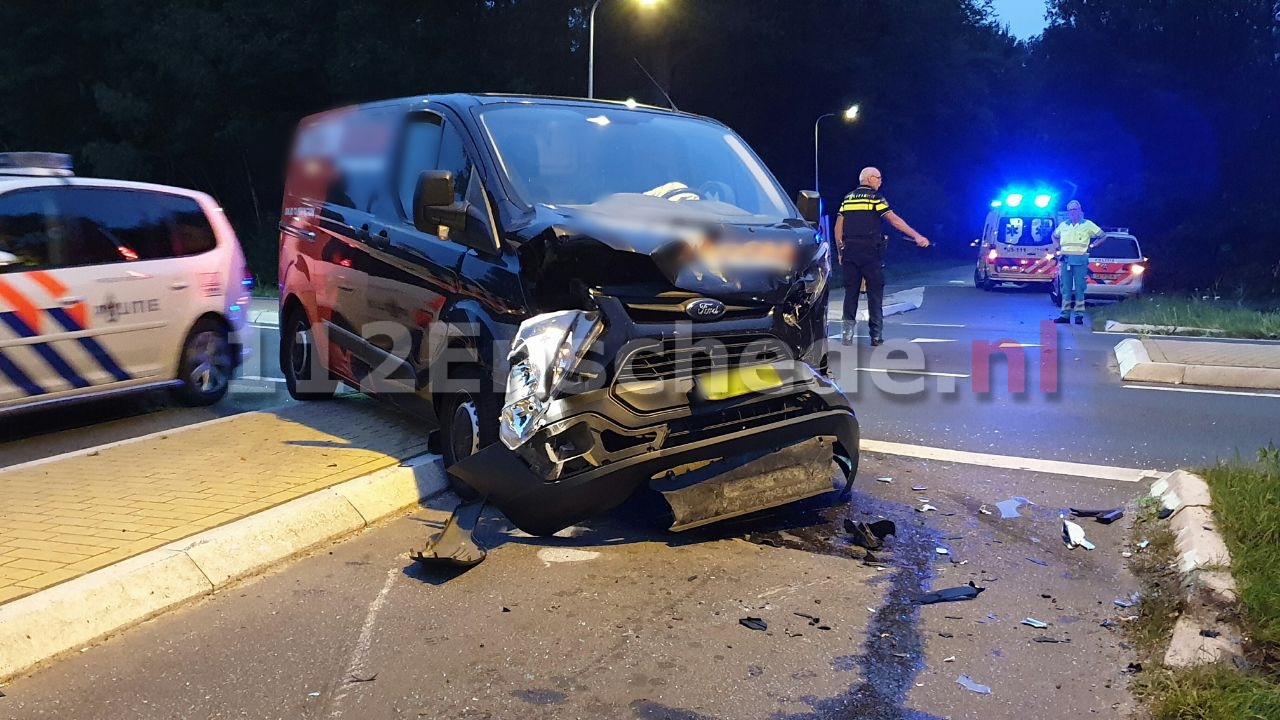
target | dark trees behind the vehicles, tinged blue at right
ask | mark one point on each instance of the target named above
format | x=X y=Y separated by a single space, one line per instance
x=1159 y=116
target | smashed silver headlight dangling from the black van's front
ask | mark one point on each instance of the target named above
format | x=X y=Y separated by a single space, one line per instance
x=545 y=354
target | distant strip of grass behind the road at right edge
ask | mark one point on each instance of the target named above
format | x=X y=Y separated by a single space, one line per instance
x=1233 y=318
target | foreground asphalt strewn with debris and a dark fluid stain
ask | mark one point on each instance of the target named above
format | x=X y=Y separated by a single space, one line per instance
x=627 y=621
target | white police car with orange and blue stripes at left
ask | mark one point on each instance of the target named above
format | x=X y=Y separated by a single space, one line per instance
x=111 y=288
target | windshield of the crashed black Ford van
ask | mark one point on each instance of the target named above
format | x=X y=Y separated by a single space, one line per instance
x=578 y=157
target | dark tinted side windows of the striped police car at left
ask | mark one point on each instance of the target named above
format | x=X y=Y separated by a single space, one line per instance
x=65 y=227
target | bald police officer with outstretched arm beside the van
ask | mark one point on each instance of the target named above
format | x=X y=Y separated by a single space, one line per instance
x=862 y=252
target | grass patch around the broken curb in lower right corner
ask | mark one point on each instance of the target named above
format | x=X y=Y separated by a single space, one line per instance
x=1247 y=511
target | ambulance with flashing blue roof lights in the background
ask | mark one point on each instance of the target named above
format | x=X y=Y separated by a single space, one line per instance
x=1017 y=244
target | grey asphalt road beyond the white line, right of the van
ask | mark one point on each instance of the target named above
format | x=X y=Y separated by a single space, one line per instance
x=1090 y=417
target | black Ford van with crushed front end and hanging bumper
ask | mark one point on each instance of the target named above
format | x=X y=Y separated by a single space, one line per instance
x=580 y=298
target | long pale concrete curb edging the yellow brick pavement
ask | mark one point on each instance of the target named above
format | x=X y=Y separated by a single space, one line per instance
x=43 y=626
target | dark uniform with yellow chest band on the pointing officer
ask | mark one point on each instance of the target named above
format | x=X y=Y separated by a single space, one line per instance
x=863 y=211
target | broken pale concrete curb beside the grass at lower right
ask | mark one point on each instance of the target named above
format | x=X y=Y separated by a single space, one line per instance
x=1204 y=563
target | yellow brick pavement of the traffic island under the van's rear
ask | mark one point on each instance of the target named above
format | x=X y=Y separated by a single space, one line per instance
x=70 y=517
